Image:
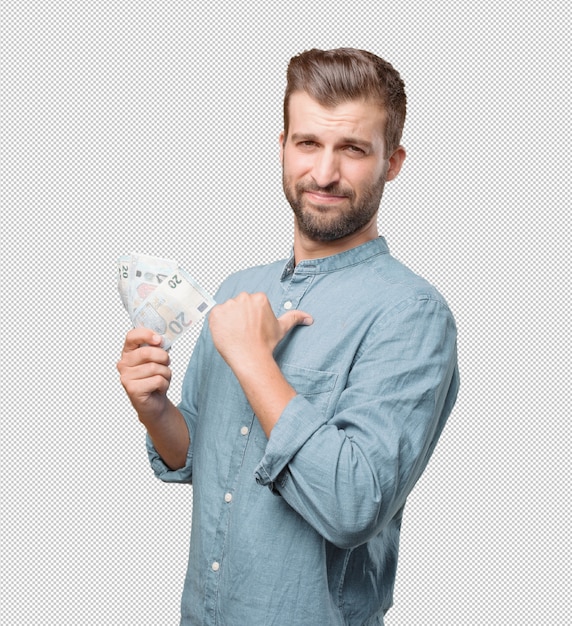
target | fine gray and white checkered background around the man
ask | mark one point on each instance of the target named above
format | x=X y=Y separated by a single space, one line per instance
x=153 y=127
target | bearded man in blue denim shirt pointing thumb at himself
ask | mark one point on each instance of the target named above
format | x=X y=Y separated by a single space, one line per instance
x=319 y=386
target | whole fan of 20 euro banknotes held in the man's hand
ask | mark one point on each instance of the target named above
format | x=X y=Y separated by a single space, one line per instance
x=160 y=295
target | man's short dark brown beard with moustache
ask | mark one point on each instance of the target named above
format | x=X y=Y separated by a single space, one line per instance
x=327 y=223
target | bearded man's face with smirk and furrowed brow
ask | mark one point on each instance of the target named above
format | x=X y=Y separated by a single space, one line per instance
x=334 y=166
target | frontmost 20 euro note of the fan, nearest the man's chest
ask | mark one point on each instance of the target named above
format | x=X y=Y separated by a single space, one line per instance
x=173 y=307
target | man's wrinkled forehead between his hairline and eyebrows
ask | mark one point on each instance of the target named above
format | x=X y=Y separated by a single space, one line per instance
x=361 y=118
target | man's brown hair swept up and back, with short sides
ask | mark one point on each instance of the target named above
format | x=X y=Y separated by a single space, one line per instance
x=334 y=76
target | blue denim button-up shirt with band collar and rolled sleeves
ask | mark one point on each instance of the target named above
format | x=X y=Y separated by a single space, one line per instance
x=302 y=529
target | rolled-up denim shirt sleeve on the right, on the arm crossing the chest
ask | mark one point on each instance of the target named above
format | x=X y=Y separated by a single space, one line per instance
x=348 y=475
